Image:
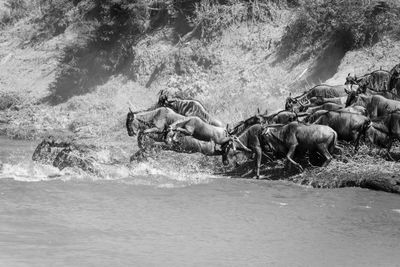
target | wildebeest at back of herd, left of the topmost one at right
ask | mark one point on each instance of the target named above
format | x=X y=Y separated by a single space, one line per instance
x=323 y=90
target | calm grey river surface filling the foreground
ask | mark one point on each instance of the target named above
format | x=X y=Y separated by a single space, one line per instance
x=152 y=218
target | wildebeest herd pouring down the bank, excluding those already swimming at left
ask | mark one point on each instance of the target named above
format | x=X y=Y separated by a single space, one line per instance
x=310 y=124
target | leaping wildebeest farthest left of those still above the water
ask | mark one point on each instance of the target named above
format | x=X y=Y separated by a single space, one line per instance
x=155 y=120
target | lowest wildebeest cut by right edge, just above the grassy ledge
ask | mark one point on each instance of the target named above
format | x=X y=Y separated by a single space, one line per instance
x=385 y=130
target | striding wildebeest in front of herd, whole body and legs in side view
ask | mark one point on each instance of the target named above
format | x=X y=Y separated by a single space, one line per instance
x=284 y=140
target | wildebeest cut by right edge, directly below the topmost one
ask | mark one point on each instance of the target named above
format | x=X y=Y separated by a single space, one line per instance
x=375 y=105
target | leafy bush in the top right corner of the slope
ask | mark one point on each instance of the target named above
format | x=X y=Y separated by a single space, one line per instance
x=322 y=22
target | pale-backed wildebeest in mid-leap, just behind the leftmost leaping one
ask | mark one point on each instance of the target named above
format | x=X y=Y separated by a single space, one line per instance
x=197 y=128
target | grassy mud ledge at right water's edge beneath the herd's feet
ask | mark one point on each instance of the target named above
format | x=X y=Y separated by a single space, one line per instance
x=366 y=169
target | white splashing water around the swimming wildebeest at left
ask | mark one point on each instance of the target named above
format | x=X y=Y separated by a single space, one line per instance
x=165 y=172
